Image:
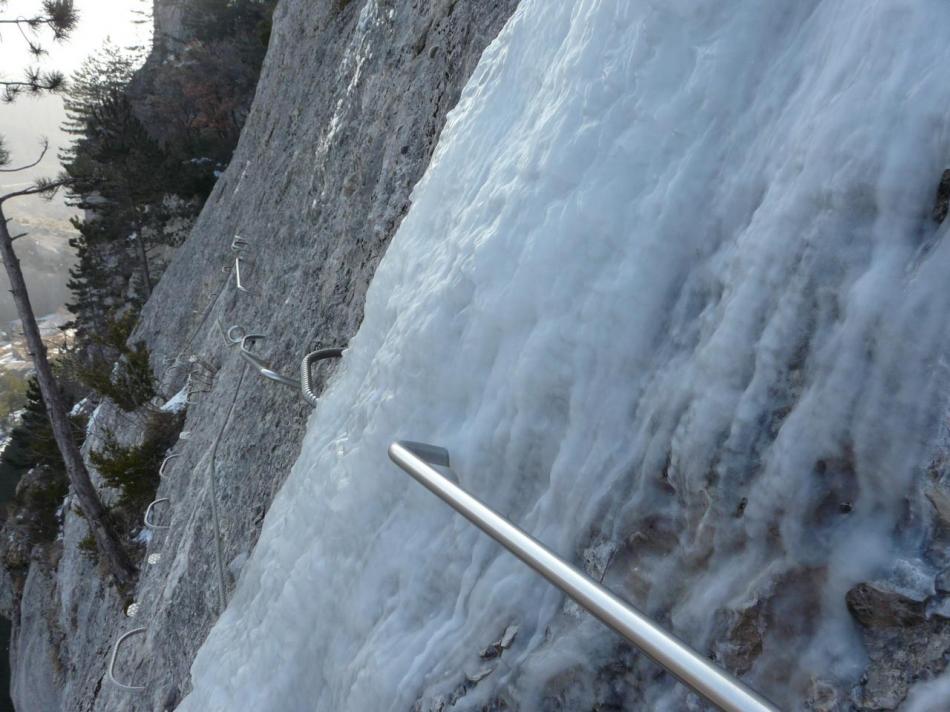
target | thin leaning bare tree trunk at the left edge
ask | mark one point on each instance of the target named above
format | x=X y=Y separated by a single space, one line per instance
x=116 y=559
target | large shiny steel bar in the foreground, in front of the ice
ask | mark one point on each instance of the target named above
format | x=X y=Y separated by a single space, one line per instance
x=690 y=667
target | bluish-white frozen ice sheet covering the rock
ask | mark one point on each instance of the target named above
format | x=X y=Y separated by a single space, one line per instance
x=671 y=295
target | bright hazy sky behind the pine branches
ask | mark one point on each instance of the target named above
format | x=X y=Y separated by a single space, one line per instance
x=24 y=122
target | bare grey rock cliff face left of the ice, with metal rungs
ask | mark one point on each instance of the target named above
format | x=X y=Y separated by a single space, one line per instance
x=350 y=105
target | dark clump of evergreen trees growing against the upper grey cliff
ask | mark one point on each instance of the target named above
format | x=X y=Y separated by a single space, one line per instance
x=147 y=149
